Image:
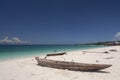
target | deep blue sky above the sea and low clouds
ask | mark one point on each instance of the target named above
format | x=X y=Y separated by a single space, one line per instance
x=59 y=21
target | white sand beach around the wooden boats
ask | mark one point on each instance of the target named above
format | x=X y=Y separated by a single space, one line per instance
x=27 y=69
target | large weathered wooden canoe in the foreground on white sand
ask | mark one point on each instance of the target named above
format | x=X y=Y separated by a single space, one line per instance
x=71 y=65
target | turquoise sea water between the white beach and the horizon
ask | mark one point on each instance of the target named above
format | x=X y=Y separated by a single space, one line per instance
x=20 y=51
